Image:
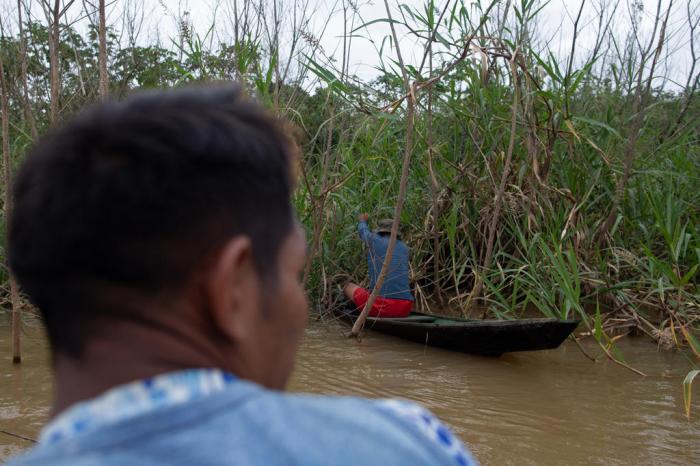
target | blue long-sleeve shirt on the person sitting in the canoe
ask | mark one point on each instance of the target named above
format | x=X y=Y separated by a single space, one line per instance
x=396 y=285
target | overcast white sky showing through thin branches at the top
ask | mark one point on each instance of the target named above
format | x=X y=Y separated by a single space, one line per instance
x=556 y=25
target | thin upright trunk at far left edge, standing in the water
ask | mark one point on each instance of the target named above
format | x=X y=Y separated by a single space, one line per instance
x=7 y=174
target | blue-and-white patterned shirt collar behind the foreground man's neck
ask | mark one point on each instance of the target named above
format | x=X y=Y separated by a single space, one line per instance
x=135 y=399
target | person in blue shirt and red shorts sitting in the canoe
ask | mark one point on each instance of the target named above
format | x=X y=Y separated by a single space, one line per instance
x=395 y=299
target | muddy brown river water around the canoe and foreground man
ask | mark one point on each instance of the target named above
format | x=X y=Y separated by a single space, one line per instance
x=547 y=407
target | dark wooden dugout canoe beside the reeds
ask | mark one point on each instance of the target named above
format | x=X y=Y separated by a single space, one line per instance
x=485 y=337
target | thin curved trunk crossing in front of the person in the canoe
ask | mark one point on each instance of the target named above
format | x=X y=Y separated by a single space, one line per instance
x=403 y=185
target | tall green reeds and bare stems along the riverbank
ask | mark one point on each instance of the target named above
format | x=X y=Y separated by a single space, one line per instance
x=557 y=182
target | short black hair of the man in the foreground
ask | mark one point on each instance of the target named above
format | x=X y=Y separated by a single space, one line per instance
x=137 y=194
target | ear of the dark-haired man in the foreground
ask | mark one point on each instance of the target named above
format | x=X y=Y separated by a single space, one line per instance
x=231 y=289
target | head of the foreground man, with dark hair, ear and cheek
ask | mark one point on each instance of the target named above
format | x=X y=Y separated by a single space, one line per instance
x=168 y=200
